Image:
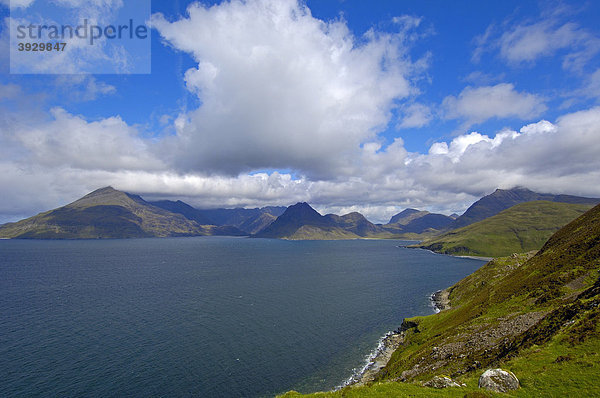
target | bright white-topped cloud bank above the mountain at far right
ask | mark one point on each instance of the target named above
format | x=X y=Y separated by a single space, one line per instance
x=559 y=157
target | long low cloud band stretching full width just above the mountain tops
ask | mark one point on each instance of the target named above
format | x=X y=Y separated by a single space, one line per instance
x=556 y=157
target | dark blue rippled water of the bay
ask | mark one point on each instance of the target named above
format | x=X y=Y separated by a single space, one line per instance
x=218 y=317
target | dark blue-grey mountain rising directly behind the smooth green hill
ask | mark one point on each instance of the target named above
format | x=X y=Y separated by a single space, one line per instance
x=502 y=199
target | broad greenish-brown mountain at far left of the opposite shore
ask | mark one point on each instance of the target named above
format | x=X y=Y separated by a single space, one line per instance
x=107 y=213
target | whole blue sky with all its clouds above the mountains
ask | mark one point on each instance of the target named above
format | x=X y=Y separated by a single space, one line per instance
x=348 y=105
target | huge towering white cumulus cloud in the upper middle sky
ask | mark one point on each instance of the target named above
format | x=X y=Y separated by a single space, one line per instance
x=282 y=89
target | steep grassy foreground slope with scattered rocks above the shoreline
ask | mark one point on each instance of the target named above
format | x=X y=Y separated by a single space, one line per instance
x=556 y=354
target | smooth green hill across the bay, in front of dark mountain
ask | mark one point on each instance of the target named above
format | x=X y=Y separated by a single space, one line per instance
x=521 y=228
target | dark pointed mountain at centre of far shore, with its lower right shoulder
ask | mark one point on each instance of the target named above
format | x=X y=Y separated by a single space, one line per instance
x=301 y=221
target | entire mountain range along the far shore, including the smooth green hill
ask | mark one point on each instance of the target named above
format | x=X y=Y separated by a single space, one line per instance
x=109 y=213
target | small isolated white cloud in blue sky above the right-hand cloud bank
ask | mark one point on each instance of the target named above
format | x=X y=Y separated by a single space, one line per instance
x=478 y=104
